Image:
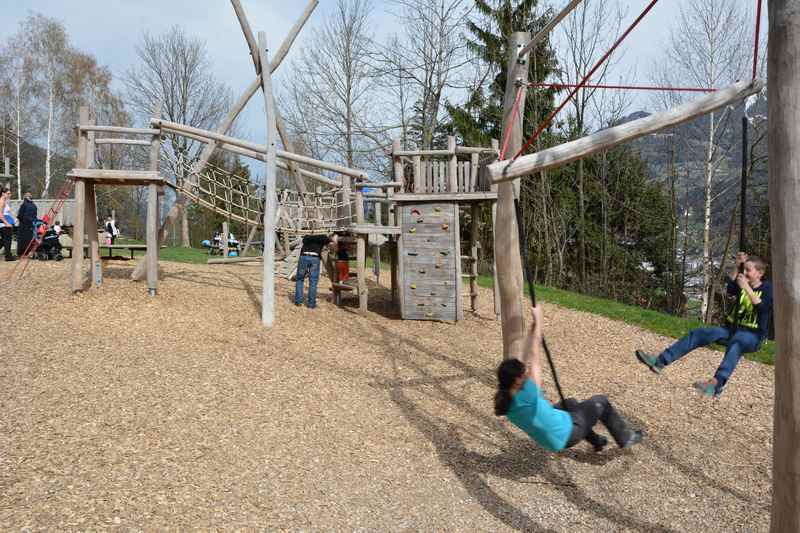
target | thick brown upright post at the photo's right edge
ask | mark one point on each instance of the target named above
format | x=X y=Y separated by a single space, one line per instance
x=784 y=190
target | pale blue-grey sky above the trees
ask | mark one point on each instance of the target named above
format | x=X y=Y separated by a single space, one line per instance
x=110 y=30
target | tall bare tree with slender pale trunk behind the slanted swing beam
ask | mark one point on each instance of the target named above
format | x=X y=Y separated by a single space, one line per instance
x=705 y=49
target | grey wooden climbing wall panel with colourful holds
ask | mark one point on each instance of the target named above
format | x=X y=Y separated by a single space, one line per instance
x=430 y=266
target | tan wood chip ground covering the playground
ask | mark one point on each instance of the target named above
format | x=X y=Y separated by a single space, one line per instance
x=122 y=411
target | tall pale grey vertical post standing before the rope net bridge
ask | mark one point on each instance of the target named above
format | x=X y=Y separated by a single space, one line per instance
x=268 y=293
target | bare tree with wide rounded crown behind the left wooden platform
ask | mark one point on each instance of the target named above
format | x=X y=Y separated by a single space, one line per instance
x=174 y=73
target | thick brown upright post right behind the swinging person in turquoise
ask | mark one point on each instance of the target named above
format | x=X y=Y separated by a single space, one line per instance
x=509 y=266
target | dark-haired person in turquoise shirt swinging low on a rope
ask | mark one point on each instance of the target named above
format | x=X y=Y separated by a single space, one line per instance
x=520 y=399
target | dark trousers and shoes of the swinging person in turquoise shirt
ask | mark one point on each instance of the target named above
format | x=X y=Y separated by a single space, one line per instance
x=587 y=413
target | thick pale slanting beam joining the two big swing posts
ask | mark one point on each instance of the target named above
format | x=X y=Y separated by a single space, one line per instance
x=605 y=139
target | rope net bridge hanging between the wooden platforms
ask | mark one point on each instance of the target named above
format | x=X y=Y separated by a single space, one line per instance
x=237 y=198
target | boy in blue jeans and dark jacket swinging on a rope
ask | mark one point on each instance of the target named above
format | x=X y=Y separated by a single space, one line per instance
x=745 y=327
